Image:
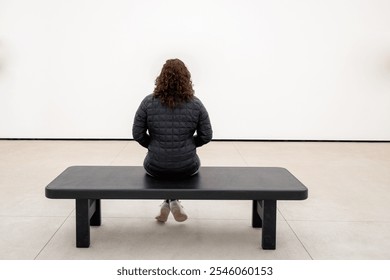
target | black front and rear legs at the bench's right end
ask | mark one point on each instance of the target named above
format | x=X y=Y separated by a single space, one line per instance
x=264 y=215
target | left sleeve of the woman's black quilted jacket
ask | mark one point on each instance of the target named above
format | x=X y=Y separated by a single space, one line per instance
x=140 y=125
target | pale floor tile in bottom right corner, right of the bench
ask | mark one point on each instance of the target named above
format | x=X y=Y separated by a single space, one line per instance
x=344 y=240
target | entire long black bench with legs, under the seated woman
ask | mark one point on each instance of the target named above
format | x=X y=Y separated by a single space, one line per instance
x=263 y=185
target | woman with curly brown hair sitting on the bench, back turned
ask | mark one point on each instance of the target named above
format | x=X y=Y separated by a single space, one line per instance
x=171 y=123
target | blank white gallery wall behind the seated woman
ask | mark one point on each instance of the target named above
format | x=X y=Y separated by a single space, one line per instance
x=309 y=69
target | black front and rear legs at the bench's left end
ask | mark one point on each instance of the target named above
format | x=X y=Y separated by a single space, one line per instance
x=87 y=213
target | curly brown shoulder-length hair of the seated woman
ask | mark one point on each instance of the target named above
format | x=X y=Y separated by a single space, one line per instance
x=174 y=85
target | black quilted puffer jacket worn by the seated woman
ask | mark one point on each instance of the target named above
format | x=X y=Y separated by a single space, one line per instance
x=168 y=134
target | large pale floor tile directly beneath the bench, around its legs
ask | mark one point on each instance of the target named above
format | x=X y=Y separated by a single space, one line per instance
x=127 y=238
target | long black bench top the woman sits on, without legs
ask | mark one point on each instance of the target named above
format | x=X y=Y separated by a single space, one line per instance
x=127 y=182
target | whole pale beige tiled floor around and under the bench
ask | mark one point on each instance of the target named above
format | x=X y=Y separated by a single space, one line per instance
x=347 y=214
